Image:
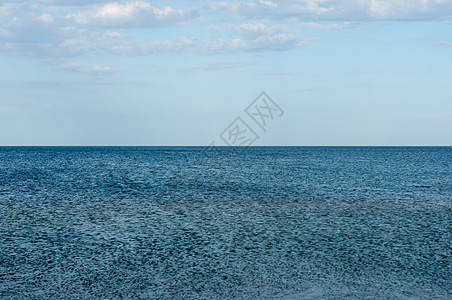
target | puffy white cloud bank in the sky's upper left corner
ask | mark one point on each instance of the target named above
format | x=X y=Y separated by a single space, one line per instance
x=45 y=31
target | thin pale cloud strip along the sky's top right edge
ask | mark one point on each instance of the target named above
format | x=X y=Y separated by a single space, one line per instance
x=344 y=10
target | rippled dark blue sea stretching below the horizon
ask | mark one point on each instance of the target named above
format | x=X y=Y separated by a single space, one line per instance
x=264 y=223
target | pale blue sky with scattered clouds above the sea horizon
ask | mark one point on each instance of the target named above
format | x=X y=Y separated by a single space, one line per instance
x=150 y=73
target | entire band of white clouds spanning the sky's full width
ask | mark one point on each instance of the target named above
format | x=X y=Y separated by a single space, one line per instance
x=65 y=29
